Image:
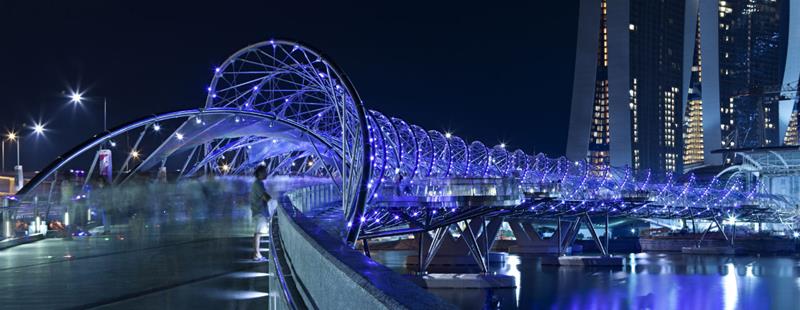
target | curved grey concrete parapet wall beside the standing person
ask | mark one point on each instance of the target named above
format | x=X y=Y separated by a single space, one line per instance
x=328 y=274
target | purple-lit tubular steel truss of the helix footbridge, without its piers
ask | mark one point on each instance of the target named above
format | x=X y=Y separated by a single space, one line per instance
x=285 y=105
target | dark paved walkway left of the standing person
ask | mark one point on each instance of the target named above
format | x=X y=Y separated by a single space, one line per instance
x=151 y=271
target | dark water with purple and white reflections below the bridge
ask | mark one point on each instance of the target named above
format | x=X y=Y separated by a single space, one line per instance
x=648 y=281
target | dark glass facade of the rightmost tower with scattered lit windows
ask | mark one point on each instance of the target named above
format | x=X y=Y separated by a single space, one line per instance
x=752 y=55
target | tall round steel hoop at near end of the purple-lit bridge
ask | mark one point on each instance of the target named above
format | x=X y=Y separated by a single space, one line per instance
x=297 y=82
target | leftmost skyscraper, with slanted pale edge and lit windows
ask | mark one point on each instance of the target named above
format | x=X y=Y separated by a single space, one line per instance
x=630 y=59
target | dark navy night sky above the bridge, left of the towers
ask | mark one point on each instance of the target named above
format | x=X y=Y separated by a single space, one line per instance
x=490 y=71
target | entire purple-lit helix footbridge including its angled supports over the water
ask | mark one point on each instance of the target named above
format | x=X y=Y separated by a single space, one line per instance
x=358 y=175
